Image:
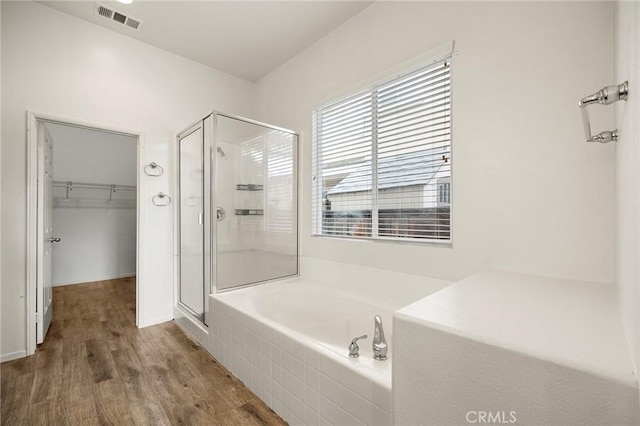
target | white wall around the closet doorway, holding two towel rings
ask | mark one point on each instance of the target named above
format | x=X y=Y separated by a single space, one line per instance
x=56 y=64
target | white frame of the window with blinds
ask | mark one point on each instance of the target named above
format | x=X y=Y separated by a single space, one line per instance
x=443 y=54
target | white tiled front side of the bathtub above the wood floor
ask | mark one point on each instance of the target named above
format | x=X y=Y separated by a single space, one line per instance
x=299 y=382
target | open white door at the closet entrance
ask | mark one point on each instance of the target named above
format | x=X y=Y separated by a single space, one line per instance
x=44 y=290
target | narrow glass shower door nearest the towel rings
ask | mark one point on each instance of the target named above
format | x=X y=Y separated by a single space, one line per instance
x=191 y=212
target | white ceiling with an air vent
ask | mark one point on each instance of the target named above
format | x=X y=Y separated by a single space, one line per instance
x=247 y=39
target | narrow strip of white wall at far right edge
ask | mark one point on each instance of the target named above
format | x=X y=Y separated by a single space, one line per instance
x=627 y=207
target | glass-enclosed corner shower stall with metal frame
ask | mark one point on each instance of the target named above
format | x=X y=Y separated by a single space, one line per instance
x=236 y=207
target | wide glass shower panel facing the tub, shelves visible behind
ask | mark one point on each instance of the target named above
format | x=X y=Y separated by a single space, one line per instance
x=256 y=236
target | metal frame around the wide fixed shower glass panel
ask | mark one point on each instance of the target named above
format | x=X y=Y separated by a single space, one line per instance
x=214 y=200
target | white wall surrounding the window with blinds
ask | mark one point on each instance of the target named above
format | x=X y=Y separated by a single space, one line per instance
x=528 y=194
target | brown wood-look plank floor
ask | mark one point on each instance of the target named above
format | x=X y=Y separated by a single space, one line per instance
x=96 y=368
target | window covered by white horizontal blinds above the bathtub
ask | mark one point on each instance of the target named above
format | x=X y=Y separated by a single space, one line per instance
x=382 y=160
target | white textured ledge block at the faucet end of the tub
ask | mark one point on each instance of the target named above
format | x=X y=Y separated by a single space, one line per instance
x=551 y=351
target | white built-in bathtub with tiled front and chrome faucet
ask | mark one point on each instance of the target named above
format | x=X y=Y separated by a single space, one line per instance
x=288 y=342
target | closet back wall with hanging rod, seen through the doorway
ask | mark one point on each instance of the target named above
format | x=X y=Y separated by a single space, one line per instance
x=97 y=243
